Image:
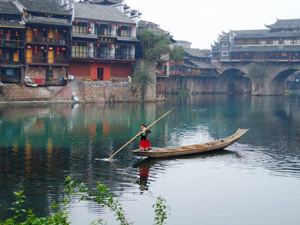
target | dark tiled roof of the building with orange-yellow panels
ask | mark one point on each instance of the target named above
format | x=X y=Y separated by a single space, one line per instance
x=45 y=6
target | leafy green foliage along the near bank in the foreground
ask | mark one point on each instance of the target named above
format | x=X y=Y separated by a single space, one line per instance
x=60 y=216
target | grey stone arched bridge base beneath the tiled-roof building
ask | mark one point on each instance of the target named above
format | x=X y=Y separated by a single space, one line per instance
x=256 y=78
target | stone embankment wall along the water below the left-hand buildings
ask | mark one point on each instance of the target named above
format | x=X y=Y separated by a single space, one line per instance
x=79 y=91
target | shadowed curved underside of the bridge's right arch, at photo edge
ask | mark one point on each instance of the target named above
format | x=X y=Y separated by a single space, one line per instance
x=278 y=82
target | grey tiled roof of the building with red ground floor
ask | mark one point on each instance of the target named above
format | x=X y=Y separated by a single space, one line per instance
x=100 y=13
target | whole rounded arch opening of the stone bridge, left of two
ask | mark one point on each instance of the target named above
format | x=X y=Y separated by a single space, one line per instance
x=235 y=81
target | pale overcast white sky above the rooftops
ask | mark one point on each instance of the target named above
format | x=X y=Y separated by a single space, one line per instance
x=201 y=21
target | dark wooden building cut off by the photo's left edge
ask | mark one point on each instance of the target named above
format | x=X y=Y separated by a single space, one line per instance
x=11 y=44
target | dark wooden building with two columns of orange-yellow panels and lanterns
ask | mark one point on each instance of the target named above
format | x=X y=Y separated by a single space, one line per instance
x=47 y=40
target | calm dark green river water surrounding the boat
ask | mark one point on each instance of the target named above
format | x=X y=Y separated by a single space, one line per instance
x=256 y=181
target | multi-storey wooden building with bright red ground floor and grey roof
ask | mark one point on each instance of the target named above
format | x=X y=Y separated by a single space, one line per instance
x=103 y=43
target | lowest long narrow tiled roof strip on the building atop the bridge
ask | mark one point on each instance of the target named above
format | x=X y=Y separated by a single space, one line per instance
x=266 y=48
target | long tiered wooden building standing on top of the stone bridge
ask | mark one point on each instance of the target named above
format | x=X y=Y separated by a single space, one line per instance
x=280 y=42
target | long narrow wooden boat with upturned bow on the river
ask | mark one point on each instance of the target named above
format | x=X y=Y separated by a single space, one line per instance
x=192 y=149
